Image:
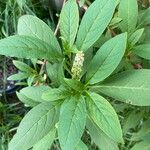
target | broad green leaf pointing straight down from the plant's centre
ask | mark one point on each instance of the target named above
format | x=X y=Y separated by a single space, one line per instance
x=72 y=122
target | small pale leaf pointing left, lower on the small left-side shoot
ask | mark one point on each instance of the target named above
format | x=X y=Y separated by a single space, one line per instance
x=18 y=76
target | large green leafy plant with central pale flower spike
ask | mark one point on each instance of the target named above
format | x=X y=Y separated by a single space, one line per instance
x=69 y=105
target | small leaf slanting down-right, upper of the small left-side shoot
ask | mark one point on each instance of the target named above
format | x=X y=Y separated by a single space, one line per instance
x=23 y=67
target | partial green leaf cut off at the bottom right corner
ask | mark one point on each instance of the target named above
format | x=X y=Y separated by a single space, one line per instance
x=144 y=145
